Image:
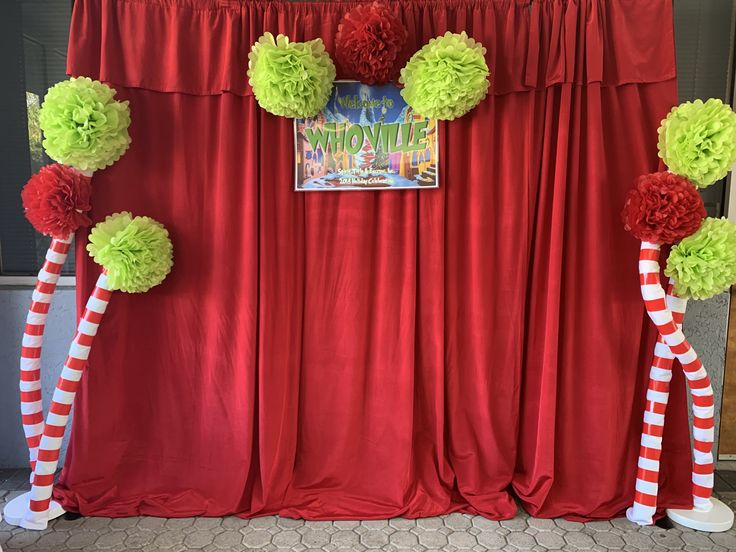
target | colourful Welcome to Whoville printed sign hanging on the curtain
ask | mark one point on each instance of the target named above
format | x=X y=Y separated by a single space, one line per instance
x=366 y=138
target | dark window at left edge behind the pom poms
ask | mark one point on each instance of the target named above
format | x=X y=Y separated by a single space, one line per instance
x=33 y=42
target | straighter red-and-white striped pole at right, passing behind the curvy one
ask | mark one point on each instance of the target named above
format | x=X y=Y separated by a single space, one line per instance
x=658 y=391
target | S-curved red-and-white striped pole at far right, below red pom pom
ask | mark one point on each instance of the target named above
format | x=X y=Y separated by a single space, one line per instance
x=697 y=378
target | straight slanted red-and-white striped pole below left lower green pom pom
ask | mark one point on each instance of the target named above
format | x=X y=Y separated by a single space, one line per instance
x=61 y=404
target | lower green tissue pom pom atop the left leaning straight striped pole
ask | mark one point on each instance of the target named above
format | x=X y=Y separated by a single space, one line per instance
x=136 y=252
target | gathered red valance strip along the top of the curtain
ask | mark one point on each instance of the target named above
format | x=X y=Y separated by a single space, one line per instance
x=168 y=45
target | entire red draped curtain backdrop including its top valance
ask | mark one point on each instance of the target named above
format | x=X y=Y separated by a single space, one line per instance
x=377 y=354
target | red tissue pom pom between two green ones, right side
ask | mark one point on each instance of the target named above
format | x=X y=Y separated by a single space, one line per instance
x=663 y=208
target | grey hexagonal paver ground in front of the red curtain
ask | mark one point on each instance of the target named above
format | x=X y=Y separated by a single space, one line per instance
x=450 y=533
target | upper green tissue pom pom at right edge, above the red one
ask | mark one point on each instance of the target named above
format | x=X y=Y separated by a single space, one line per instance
x=697 y=140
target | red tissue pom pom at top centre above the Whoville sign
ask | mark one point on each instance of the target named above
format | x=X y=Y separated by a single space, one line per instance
x=369 y=40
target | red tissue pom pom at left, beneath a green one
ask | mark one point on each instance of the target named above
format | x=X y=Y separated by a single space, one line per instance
x=56 y=200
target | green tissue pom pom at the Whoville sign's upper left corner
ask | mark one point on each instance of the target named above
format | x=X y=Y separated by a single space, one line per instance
x=291 y=79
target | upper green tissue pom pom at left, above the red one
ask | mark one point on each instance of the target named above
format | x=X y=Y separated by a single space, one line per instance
x=83 y=125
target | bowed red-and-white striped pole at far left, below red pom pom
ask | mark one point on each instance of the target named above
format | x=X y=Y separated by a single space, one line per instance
x=30 y=355
